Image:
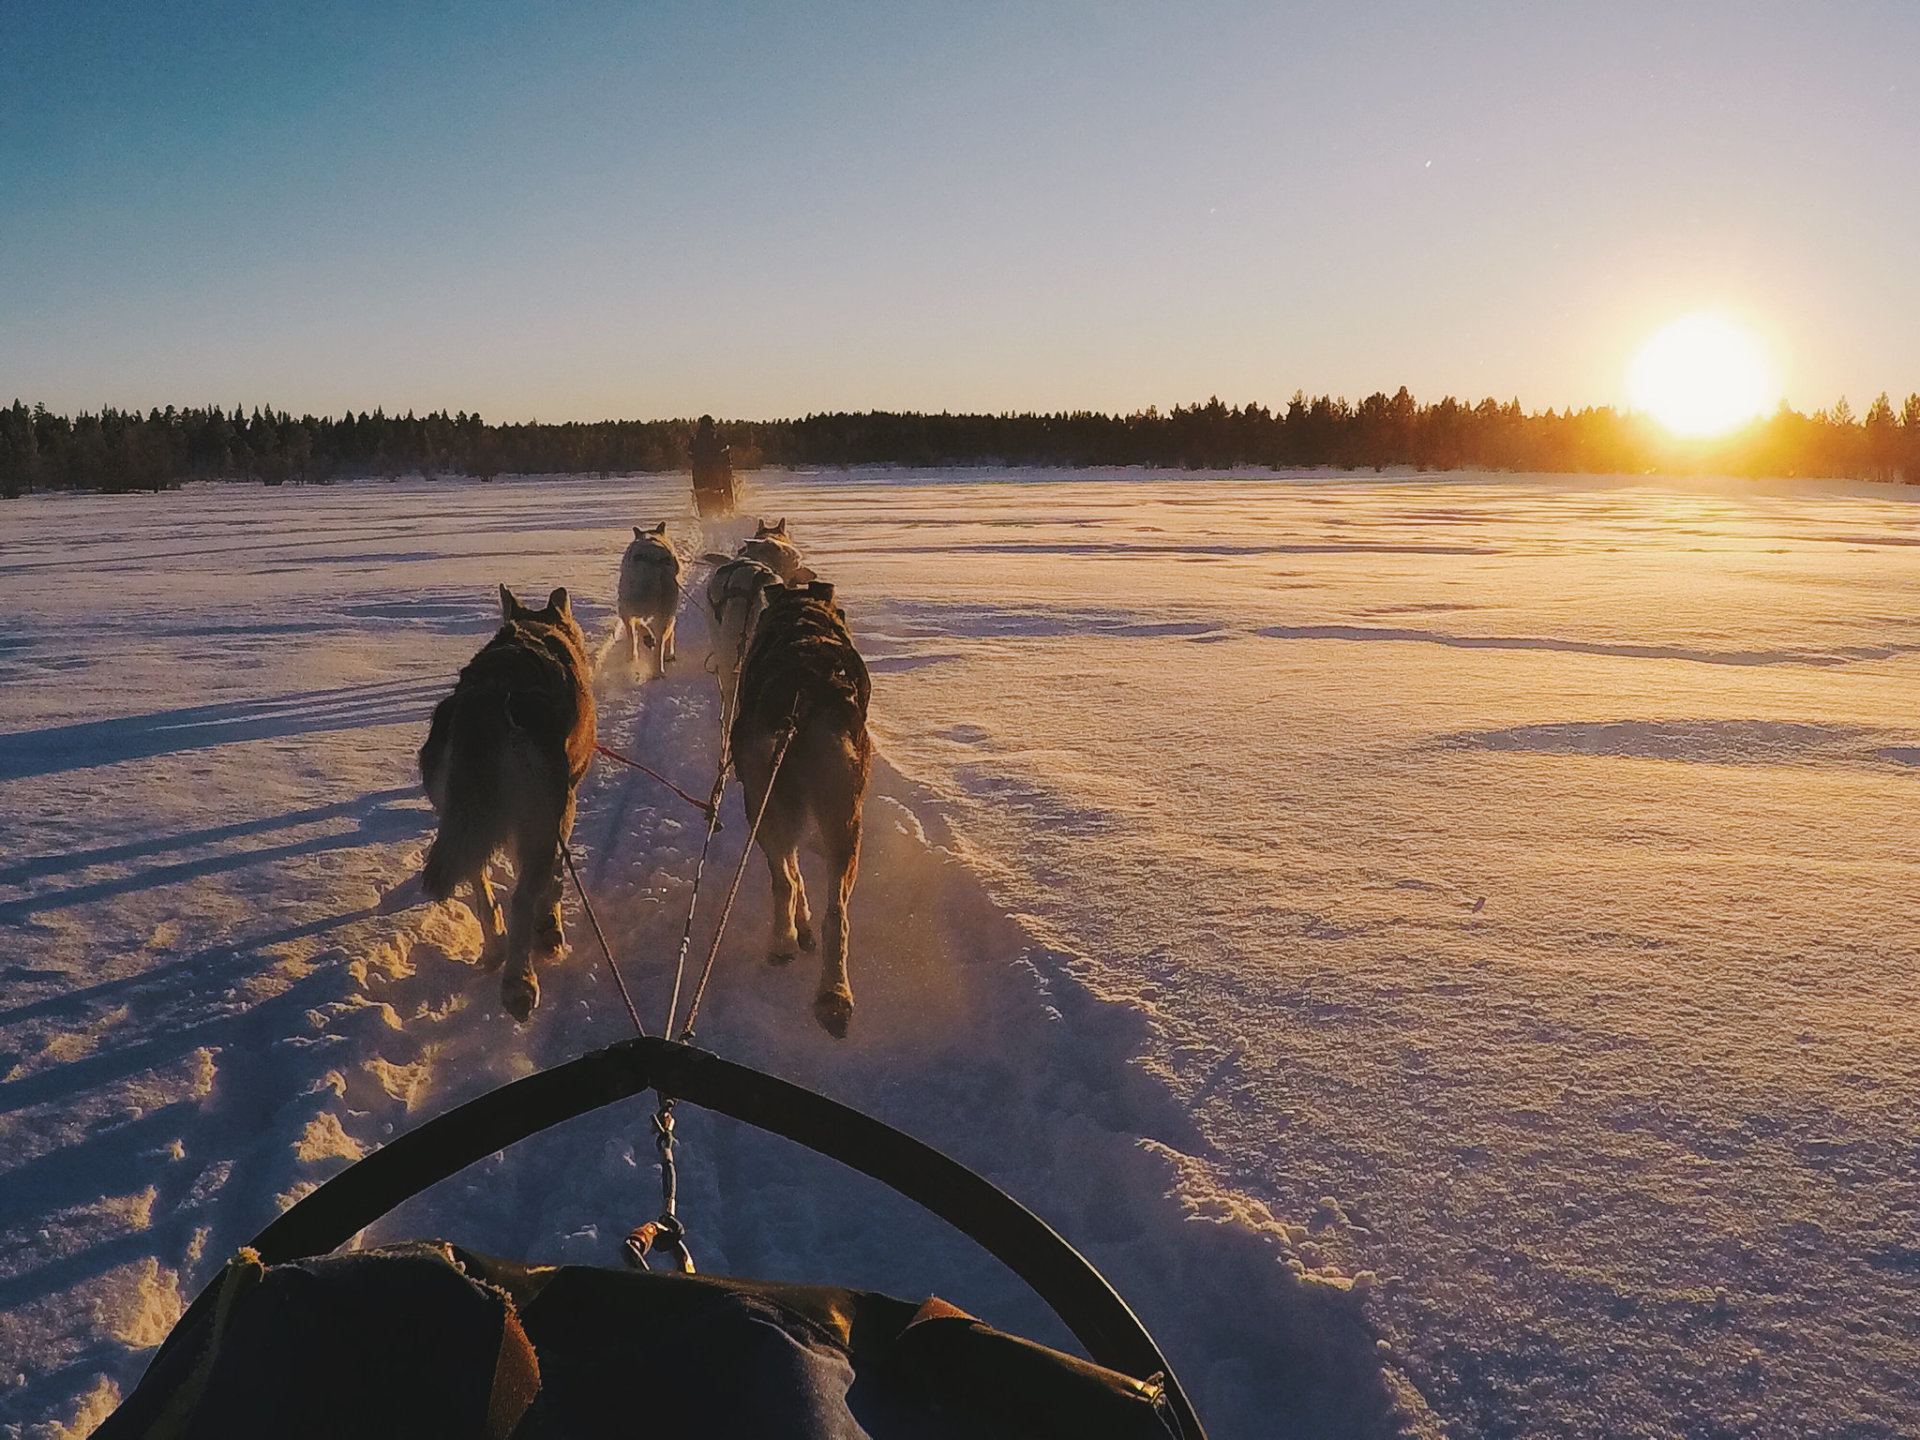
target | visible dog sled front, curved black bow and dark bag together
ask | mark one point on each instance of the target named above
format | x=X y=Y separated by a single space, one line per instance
x=433 y=1339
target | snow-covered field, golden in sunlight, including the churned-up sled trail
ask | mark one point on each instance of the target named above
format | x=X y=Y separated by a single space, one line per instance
x=1495 y=888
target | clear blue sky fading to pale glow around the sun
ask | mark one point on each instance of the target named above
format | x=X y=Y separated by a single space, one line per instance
x=579 y=210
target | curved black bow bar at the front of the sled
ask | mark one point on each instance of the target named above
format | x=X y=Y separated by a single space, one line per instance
x=1022 y=1241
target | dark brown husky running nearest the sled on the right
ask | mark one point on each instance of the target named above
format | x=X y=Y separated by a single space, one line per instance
x=804 y=675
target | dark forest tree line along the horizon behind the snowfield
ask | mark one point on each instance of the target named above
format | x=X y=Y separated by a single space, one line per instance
x=126 y=450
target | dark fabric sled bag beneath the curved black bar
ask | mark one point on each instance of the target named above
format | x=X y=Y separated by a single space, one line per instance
x=429 y=1339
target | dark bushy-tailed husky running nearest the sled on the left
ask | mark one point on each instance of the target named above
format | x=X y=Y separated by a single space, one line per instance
x=502 y=761
